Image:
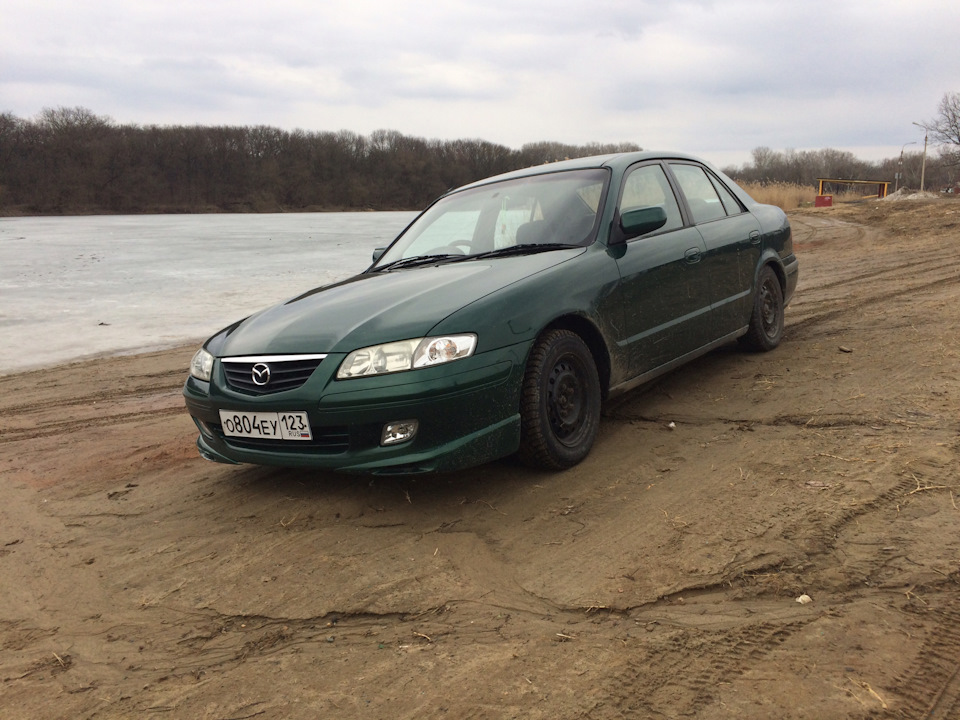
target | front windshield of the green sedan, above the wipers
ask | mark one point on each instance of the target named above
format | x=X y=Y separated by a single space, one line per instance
x=536 y=213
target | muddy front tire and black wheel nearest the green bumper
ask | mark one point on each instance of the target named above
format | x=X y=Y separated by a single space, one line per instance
x=560 y=402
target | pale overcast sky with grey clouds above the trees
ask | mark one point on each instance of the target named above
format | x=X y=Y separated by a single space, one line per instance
x=713 y=78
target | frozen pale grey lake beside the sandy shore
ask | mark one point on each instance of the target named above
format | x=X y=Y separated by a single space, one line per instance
x=74 y=287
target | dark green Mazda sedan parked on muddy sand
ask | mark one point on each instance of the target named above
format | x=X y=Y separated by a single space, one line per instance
x=500 y=320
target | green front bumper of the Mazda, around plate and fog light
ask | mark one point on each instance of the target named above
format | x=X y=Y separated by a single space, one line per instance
x=468 y=414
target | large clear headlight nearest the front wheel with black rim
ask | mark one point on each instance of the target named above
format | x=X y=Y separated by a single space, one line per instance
x=406 y=355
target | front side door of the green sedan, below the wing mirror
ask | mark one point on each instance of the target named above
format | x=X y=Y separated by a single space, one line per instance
x=663 y=296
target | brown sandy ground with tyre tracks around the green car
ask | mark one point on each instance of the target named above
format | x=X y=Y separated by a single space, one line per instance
x=658 y=579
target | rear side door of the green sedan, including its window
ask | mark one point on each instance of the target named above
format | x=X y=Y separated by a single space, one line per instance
x=732 y=239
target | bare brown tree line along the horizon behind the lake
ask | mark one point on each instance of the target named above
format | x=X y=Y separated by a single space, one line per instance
x=70 y=160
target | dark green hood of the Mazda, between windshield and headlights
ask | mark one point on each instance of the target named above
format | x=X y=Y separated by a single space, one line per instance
x=377 y=307
